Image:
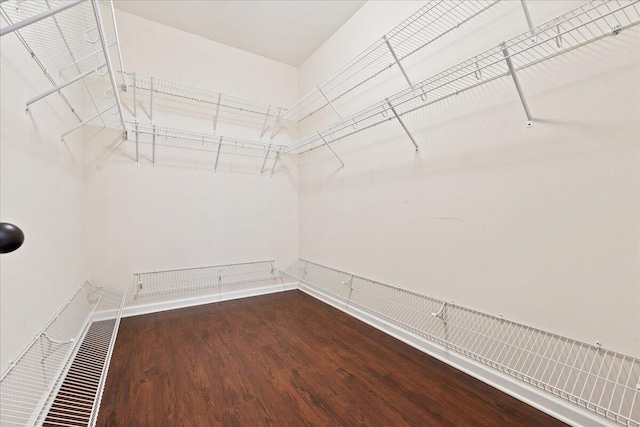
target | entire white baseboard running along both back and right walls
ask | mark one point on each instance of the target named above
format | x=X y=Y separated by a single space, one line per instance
x=539 y=399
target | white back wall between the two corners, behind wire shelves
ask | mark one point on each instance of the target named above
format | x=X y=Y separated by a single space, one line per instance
x=180 y=213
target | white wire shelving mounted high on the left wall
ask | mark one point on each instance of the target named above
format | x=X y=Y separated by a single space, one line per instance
x=75 y=43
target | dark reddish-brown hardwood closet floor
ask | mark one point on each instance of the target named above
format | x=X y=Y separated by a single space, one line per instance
x=288 y=359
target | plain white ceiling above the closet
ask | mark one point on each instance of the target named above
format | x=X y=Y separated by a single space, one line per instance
x=286 y=31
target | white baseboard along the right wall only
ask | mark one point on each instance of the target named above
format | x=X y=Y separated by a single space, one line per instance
x=539 y=399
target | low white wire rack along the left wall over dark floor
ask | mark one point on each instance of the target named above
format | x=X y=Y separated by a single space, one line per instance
x=59 y=379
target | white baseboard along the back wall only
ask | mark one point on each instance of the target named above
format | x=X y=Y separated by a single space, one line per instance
x=137 y=310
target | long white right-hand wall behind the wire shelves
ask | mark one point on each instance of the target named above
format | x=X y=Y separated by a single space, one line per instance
x=541 y=224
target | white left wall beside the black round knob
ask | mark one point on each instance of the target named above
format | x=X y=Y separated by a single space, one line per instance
x=42 y=191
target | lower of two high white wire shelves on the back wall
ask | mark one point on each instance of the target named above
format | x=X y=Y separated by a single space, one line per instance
x=217 y=144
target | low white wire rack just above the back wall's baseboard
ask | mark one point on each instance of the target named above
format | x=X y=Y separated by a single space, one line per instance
x=191 y=279
